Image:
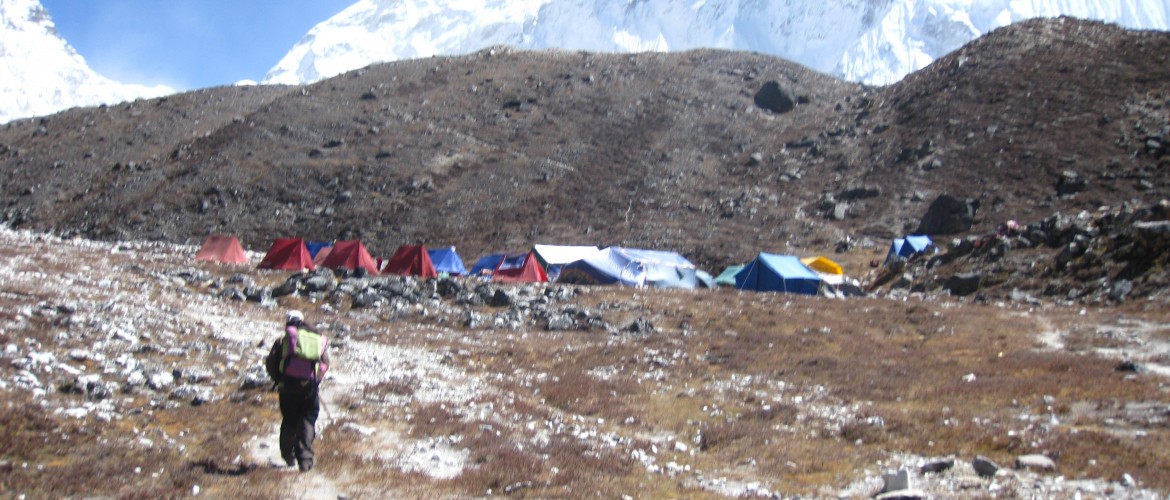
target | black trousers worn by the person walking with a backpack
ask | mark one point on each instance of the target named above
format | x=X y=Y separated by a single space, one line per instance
x=300 y=406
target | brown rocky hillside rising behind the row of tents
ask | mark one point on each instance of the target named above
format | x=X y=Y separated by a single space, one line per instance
x=717 y=155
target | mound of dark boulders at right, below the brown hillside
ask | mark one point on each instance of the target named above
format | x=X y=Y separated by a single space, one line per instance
x=1110 y=257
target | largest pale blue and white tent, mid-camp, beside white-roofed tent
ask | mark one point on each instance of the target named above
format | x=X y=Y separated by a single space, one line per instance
x=632 y=268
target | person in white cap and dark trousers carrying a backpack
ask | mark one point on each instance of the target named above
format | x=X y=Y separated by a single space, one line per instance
x=298 y=362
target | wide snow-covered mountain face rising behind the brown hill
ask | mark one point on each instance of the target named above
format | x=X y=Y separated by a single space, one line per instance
x=871 y=42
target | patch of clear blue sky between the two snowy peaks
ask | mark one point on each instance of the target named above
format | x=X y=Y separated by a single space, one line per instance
x=187 y=44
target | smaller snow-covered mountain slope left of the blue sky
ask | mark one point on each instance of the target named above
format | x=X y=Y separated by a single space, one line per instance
x=39 y=72
